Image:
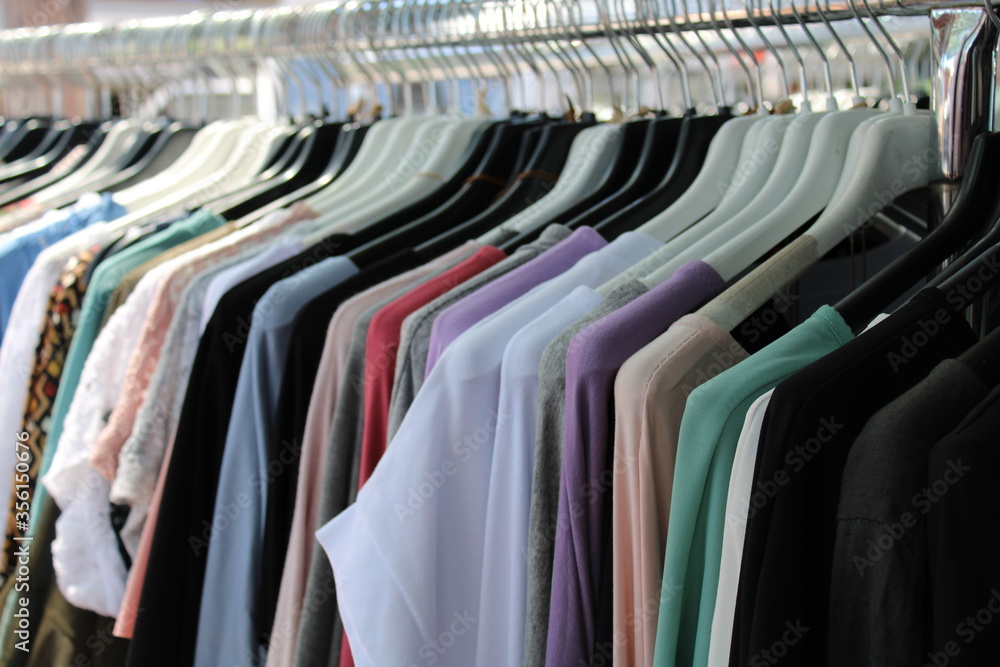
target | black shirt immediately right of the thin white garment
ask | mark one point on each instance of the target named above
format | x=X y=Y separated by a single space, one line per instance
x=811 y=422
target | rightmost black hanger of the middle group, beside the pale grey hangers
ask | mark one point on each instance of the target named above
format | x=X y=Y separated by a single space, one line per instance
x=696 y=136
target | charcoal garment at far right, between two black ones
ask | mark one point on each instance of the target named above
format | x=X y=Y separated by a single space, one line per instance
x=873 y=504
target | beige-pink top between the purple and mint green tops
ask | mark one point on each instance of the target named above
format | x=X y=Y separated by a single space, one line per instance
x=651 y=390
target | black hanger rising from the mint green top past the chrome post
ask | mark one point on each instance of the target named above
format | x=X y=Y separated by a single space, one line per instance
x=973 y=208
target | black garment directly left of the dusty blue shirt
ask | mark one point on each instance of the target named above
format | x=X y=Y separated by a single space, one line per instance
x=167 y=622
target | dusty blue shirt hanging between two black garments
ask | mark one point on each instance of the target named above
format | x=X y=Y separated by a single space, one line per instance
x=226 y=632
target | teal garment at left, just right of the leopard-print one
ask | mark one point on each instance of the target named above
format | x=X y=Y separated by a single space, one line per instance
x=103 y=282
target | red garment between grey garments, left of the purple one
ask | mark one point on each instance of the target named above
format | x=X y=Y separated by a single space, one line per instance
x=381 y=347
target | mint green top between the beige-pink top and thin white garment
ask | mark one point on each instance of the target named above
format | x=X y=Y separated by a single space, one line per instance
x=713 y=418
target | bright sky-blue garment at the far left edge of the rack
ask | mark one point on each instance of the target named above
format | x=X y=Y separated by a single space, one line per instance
x=19 y=253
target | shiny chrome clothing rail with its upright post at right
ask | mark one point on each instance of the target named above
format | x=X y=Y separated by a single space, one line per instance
x=963 y=40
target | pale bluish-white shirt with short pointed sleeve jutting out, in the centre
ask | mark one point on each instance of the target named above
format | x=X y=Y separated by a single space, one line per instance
x=408 y=555
